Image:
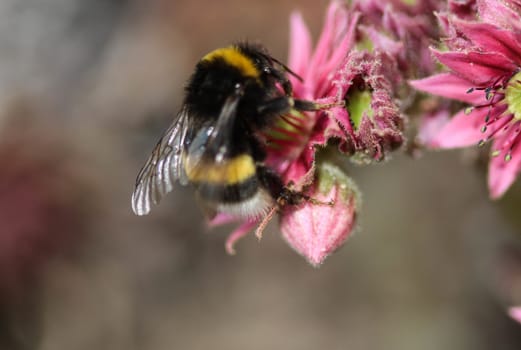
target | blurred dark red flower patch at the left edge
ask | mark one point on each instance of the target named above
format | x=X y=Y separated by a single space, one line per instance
x=40 y=207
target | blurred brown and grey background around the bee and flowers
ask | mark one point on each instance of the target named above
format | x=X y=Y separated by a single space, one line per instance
x=87 y=87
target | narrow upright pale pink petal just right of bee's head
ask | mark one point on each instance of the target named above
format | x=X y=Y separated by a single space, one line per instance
x=300 y=44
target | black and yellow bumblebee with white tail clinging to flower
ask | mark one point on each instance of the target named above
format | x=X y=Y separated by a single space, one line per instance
x=213 y=144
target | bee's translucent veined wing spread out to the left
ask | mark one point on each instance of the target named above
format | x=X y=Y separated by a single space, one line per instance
x=162 y=168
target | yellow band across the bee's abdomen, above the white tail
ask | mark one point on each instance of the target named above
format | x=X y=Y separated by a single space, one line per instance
x=230 y=172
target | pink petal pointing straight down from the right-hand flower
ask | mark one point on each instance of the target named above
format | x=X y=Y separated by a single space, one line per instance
x=502 y=174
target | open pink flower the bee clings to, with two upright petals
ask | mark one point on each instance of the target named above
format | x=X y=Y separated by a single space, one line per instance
x=322 y=81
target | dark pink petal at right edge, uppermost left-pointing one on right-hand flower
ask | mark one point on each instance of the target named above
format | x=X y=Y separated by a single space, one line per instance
x=491 y=38
